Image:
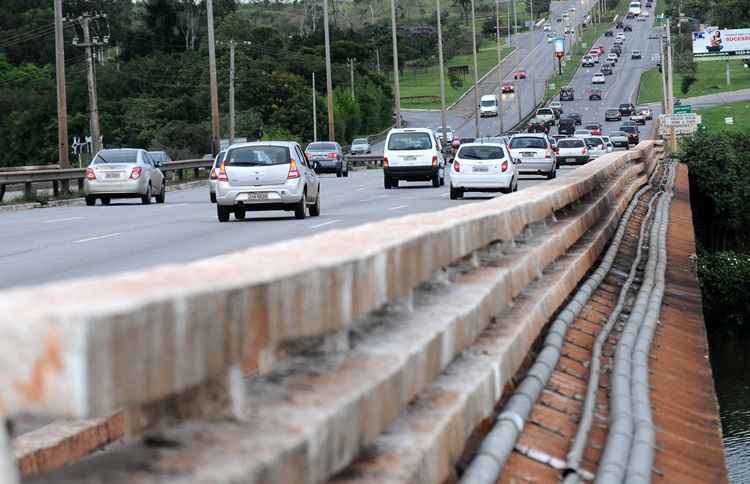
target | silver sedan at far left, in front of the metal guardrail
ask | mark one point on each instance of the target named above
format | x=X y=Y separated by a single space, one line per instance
x=124 y=173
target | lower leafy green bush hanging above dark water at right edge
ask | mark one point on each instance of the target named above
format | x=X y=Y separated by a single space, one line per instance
x=725 y=280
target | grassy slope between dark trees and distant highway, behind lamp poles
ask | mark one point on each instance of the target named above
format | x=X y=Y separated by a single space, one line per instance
x=424 y=84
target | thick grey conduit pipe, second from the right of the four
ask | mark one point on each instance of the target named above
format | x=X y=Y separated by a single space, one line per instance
x=612 y=466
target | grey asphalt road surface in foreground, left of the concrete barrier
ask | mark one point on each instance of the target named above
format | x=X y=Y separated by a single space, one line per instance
x=53 y=244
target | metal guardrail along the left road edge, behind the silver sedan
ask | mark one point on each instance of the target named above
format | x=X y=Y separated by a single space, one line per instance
x=29 y=177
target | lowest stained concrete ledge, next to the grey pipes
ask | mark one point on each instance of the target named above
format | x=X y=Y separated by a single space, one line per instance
x=426 y=442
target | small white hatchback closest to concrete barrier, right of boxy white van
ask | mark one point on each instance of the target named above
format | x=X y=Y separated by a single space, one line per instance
x=483 y=167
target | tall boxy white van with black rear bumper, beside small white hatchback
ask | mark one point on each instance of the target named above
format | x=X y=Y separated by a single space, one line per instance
x=412 y=154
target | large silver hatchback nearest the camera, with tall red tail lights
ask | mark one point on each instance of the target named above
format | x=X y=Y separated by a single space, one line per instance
x=266 y=175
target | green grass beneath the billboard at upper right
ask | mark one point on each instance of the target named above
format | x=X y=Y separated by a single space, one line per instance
x=710 y=79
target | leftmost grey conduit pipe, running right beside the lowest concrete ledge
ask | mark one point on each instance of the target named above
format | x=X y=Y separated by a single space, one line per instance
x=499 y=443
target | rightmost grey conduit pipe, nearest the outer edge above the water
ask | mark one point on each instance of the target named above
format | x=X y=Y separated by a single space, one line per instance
x=641 y=459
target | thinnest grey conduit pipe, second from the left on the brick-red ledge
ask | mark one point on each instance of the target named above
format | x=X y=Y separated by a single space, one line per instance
x=578 y=446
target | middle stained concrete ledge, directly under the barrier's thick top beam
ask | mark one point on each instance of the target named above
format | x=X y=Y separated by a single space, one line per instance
x=310 y=417
